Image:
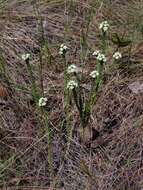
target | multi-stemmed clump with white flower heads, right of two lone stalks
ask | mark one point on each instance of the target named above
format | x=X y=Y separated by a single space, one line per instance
x=73 y=81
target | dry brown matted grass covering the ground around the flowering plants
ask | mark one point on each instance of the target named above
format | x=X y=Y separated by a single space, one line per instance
x=114 y=160
